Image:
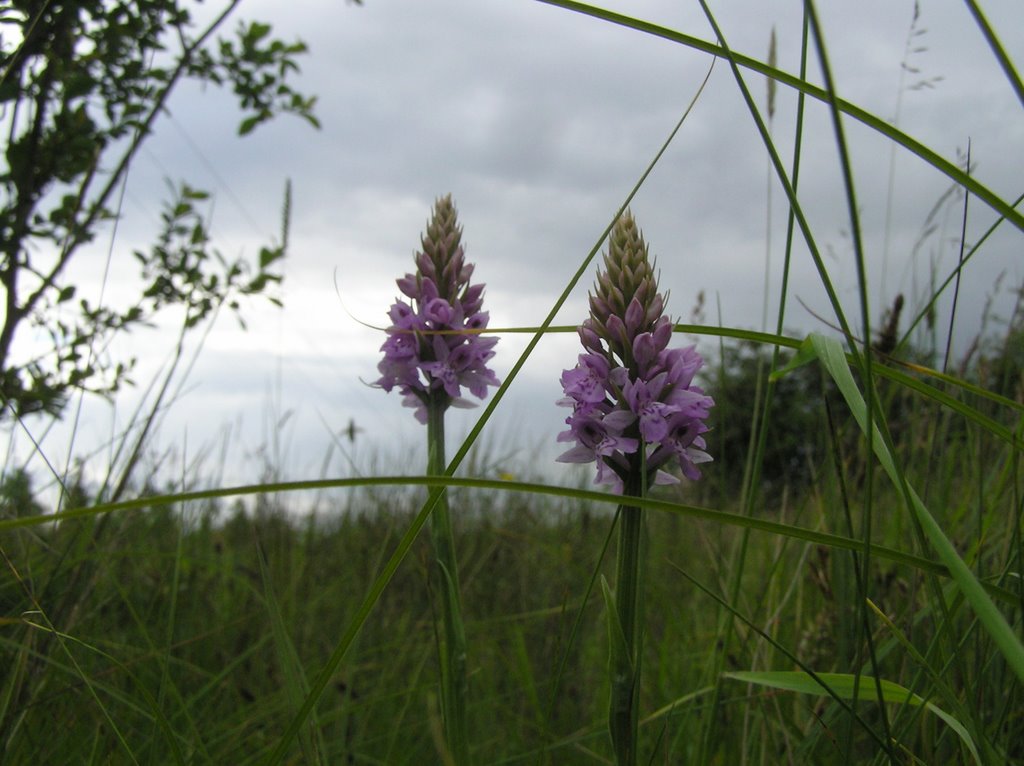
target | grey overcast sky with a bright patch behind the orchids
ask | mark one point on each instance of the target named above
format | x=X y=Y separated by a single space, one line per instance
x=539 y=122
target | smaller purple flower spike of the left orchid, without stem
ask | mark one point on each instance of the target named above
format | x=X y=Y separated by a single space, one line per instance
x=435 y=347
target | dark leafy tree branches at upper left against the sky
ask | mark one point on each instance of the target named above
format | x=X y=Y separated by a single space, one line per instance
x=82 y=83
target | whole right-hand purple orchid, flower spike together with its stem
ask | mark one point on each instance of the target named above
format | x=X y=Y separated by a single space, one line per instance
x=635 y=413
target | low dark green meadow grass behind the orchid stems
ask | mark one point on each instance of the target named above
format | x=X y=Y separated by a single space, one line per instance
x=188 y=629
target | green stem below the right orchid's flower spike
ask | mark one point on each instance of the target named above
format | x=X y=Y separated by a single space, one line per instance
x=623 y=715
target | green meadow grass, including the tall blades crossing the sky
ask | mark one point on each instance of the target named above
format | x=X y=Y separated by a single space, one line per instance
x=870 y=615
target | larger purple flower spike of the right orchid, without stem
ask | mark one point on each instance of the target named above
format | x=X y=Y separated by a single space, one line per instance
x=635 y=409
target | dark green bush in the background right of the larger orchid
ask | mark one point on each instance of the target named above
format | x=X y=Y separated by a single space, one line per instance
x=809 y=423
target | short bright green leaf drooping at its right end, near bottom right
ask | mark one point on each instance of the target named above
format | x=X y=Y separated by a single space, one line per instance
x=844 y=686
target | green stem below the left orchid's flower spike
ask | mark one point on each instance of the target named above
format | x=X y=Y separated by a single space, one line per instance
x=453 y=654
